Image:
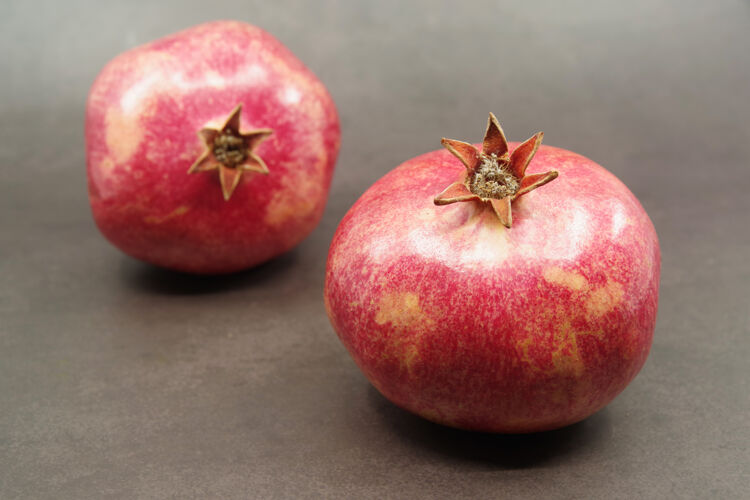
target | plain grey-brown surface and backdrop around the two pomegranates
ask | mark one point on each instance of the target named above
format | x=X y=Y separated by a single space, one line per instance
x=119 y=380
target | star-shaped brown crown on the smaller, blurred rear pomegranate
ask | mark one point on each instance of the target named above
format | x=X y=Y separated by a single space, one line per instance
x=231 y=152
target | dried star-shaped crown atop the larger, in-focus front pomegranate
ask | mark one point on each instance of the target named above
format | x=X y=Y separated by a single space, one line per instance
x=493 y=176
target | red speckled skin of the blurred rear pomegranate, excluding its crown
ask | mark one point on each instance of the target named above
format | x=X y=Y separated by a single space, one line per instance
x=142 y=118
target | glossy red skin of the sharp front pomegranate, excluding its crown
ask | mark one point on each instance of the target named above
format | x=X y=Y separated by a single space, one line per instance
x=454 y=317
